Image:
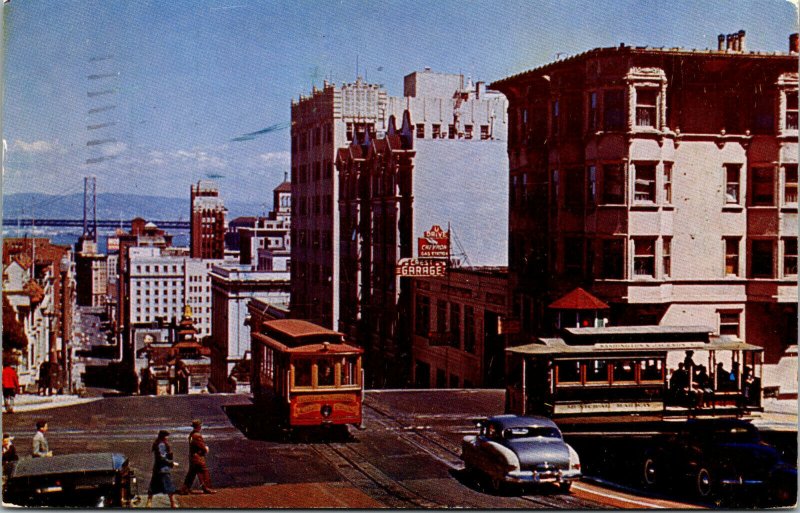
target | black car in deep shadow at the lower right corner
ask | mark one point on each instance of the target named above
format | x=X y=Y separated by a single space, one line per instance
x=718 y=458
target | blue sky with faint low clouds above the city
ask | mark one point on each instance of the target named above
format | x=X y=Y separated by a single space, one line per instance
x=150 y=96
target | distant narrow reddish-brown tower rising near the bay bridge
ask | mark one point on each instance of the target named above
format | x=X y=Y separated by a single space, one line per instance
x=207 y=221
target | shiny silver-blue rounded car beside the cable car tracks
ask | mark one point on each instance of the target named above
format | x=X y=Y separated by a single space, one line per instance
x=512 y=450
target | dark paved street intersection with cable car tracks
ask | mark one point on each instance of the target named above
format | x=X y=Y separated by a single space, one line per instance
x=406 y=457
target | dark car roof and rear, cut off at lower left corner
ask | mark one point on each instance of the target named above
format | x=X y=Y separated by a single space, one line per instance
x=72 y=480
